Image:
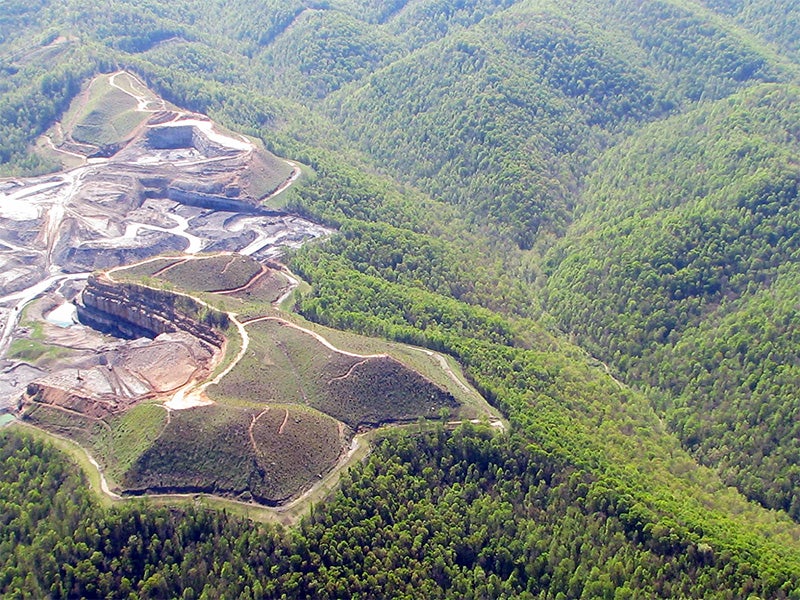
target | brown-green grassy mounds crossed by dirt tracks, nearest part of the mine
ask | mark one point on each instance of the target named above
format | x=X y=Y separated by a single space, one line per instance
x=280 y=418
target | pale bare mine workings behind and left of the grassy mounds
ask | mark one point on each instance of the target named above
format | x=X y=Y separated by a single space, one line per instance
x=171 y=182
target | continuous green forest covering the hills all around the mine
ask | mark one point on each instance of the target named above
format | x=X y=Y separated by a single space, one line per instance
x=531 y=187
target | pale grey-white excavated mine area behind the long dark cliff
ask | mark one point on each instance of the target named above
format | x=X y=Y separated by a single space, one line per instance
x=134 y=199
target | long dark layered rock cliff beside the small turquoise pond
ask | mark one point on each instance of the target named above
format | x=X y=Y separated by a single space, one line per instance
x=130 y=310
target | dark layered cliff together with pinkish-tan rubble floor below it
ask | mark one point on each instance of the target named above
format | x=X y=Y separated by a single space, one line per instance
x=184 y=345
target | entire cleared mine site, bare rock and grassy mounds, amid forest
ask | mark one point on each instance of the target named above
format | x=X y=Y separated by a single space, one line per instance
x=266 y=409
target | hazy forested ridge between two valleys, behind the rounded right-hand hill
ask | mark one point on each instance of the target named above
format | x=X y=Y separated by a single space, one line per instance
x=504 y=119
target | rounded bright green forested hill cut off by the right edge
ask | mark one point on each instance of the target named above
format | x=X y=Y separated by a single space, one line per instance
x=677 y=273
